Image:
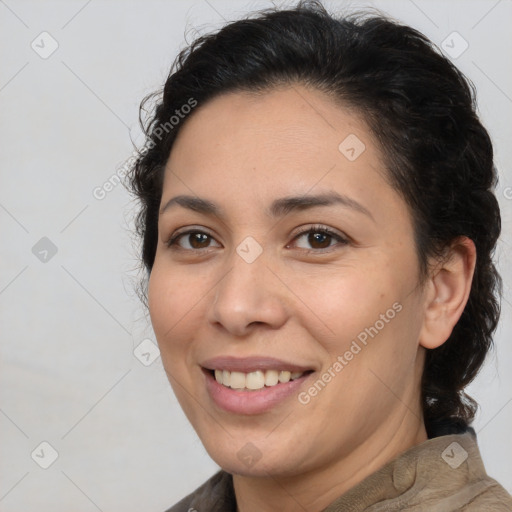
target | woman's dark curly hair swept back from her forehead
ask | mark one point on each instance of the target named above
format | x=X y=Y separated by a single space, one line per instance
x=421 y=109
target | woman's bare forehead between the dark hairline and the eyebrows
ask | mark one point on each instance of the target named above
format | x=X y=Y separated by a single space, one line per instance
x=244 y=147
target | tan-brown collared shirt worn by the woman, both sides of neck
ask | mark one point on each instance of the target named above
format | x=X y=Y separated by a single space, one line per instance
x=443 y=474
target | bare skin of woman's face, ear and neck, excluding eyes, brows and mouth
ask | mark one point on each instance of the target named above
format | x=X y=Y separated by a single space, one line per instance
x=297 y=301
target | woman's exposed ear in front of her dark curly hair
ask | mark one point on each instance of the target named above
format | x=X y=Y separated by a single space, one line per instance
x=447 y=292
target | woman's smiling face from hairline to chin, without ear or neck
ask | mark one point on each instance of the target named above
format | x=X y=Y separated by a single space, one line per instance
x=295 y=259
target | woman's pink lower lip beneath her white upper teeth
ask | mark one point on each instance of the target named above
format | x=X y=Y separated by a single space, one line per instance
x=251 y=402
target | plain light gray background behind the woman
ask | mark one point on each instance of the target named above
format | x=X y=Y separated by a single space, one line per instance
x=69 y=326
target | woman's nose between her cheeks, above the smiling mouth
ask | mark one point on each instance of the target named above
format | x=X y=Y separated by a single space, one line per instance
x=249 y=295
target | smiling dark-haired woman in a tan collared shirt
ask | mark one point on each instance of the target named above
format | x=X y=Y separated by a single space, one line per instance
x=318 y=219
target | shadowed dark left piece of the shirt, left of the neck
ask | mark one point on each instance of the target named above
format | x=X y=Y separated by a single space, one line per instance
x=215 y=495
